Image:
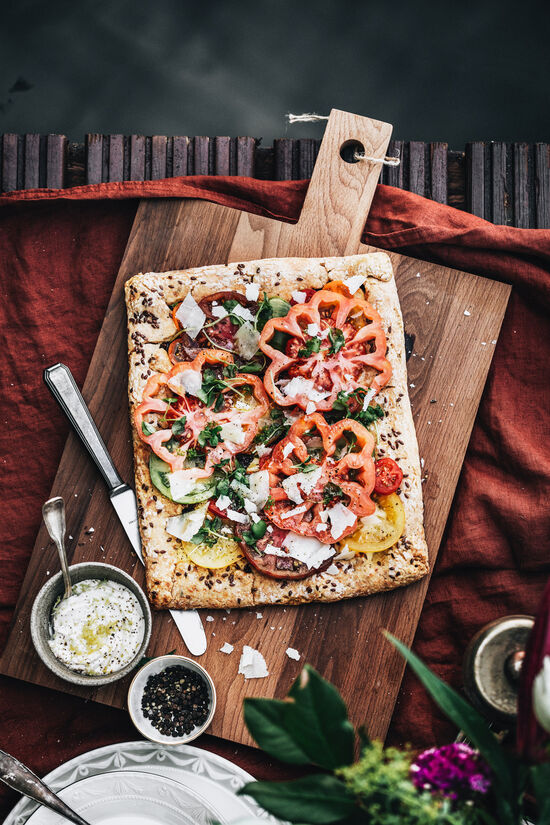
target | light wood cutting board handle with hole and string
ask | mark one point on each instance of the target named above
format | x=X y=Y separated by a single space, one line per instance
x=340 y=193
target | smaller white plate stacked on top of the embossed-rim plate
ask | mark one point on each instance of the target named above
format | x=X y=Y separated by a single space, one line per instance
x=131 y=798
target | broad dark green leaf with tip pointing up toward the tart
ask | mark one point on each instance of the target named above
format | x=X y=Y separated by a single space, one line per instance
x=318 y=721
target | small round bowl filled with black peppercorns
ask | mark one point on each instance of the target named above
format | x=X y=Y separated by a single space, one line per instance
x=171 y=700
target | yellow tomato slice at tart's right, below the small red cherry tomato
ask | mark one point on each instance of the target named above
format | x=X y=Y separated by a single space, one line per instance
x=381 y=530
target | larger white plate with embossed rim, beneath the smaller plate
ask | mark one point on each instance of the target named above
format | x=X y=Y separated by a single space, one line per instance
x=199 y=771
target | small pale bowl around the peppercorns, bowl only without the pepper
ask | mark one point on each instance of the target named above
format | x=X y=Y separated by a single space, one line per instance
x=135 y=694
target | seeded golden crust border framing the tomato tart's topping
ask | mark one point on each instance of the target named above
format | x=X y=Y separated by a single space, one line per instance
x=173 y=582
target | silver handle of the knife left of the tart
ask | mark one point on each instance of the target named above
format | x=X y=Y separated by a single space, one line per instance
x=59 y=380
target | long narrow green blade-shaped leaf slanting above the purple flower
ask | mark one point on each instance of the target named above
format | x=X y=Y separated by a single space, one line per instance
x=465 y=717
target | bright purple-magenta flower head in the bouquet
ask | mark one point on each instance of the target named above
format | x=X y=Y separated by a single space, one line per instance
x=457 y=771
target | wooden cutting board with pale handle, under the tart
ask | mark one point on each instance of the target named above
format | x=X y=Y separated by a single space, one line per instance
x=452 y=319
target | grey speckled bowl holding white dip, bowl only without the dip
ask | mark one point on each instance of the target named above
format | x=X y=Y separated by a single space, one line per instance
x=43 y=606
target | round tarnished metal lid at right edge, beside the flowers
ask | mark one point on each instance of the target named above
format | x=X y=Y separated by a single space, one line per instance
x=492 y=664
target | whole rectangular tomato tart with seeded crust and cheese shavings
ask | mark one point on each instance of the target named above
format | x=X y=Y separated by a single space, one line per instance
x=276 y=460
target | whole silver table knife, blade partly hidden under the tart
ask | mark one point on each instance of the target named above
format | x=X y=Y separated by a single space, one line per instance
x=61 y=383
